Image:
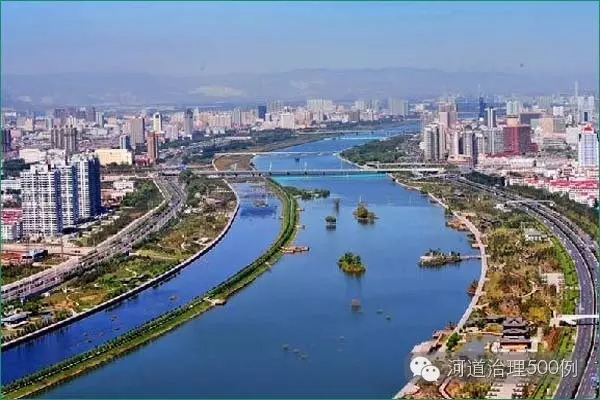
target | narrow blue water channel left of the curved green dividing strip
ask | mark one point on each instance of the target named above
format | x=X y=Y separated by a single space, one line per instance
x=231 y=254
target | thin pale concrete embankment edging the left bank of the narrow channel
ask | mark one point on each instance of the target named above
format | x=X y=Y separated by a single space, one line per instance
x=132 y=292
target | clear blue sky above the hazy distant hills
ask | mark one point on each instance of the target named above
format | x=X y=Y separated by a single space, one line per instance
x=192 y=38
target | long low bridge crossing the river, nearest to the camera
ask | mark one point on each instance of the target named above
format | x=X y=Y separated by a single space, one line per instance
x=305 y=172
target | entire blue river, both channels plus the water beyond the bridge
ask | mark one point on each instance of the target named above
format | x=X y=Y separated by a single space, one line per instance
x=304 y=301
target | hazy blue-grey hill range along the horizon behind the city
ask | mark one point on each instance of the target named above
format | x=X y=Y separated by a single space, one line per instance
x=141 y=88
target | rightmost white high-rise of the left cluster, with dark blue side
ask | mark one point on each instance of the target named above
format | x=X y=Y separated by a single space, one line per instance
x=87 y=169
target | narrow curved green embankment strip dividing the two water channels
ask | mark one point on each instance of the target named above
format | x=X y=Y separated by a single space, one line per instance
x=155 y=328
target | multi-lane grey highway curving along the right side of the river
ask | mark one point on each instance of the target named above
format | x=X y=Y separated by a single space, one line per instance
x=581 y=384
